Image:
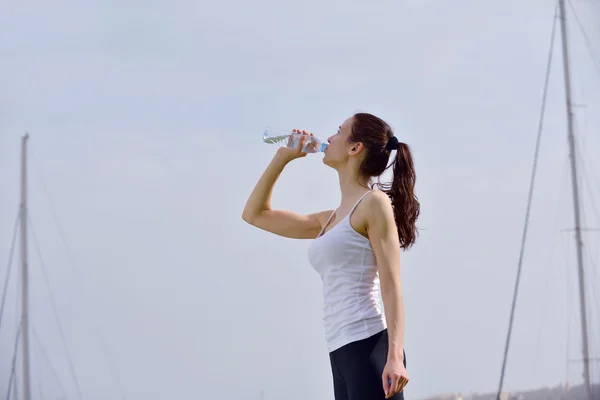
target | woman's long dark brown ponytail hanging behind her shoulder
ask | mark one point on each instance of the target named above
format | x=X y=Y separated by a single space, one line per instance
x=401 y=192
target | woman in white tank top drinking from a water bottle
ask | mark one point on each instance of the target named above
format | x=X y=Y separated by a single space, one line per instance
x=356 y=250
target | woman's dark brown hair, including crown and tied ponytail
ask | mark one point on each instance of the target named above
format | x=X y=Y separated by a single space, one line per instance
x=379 y=141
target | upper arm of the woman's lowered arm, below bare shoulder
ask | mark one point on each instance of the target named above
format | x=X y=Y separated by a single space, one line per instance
x=383 y=235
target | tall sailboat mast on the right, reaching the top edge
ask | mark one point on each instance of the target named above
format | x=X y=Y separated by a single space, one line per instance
x=576 y=204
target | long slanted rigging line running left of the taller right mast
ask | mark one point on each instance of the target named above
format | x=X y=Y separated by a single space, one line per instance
x=529 y=201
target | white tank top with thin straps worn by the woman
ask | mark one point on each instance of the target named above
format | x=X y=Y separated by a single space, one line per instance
x=345 y=260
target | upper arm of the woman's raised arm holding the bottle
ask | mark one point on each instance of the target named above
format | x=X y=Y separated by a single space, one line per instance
x=290 y=224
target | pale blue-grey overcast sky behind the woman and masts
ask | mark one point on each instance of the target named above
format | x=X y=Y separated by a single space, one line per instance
x=145 y=120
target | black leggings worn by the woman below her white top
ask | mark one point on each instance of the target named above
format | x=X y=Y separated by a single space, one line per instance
x=357 y=368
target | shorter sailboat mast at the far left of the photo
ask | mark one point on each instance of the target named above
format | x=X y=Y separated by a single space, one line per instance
x=24 y=273
